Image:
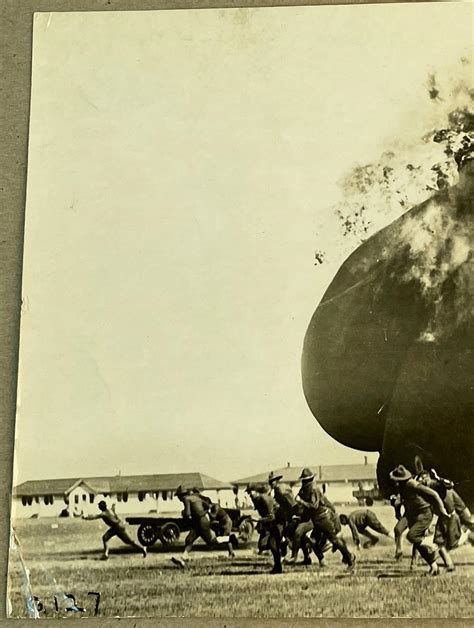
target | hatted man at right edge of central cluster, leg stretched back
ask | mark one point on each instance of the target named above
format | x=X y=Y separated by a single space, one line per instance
x=311 y=497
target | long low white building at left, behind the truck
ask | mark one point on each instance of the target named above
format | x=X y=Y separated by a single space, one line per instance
x=131 y=494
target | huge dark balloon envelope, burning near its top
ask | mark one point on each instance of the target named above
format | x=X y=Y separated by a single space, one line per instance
x=387 y=357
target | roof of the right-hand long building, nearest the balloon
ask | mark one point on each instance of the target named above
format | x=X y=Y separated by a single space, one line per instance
x=322 y=473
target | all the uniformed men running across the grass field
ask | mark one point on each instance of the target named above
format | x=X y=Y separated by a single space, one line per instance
x=309 y=521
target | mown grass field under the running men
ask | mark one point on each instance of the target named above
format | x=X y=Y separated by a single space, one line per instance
x=66 y=559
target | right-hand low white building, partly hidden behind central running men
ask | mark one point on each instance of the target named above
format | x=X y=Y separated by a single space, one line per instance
x=339 y=482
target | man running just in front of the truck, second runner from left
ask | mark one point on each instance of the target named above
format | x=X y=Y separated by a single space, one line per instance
x=196 y=508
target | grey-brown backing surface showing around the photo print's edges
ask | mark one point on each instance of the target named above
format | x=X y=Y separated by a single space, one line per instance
x=16 y=37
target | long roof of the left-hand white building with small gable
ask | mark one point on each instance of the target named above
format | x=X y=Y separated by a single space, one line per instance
x=120 y=484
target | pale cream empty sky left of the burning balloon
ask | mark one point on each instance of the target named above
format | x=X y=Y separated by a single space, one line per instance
x=182 y=167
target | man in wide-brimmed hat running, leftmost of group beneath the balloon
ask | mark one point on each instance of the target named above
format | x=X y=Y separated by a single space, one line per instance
x=419 y=502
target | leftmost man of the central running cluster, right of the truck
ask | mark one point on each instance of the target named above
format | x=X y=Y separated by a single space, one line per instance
x=268 y=527
